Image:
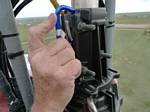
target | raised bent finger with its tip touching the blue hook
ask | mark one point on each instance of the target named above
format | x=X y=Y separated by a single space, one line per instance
x=36 y=33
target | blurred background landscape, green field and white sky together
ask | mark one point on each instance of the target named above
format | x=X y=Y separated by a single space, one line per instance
x=131 y=48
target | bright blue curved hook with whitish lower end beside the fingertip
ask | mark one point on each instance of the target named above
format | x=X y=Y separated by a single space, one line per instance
x=58 y=22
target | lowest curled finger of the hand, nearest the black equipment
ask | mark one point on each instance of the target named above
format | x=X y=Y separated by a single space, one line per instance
x=73 y=68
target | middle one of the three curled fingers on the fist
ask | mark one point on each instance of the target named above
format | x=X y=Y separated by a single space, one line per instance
x=65 y=56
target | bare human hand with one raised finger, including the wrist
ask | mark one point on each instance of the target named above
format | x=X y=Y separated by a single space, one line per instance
x=54 y=69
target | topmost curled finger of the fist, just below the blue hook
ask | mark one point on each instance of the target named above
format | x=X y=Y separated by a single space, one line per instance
x=57 y=46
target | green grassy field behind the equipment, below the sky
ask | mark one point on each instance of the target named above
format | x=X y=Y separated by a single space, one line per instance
x=131 y=54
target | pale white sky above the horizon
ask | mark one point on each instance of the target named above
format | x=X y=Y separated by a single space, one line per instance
x=44 y=8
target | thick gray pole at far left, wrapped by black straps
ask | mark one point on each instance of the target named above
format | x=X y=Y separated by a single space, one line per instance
x=8 y=26
